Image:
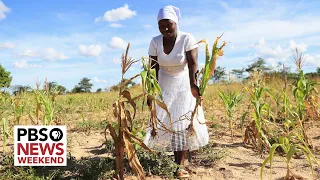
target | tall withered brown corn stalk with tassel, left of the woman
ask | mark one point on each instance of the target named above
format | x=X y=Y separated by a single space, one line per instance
x=122 y=135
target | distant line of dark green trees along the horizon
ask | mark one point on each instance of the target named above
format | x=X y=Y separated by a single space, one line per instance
x=85 y=85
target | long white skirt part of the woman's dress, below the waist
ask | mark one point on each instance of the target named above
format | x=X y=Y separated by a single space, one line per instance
x=180 y=102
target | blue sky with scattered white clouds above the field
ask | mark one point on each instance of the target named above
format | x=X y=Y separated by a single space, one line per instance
x=65 y=41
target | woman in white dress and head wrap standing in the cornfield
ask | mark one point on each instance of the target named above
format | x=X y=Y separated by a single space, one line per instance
x=176 y=54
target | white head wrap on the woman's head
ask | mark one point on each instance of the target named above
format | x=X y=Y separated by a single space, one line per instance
x=169 y=12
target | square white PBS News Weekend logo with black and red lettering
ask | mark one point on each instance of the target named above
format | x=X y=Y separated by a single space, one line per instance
x=40 y=146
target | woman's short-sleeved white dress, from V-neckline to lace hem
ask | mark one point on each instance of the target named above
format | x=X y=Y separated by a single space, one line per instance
x=174 y=81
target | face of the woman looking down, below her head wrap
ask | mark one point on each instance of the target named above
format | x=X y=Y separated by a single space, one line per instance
x=168 y=28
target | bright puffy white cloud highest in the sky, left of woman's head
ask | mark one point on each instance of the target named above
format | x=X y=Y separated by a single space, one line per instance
x=118 y=14
